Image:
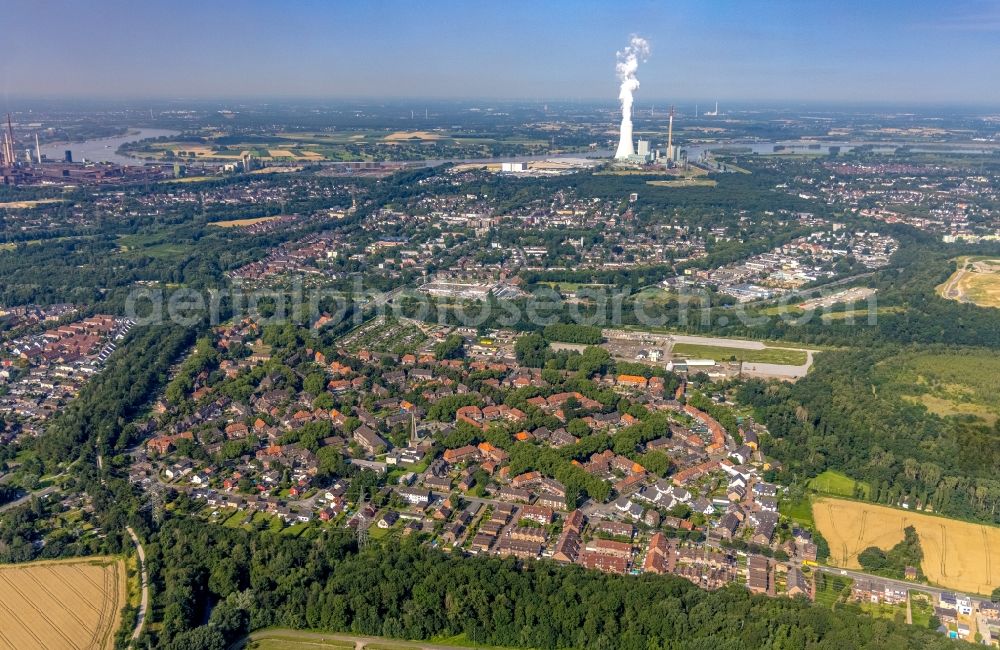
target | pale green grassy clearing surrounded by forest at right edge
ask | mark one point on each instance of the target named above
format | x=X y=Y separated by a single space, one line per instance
x=954 y=383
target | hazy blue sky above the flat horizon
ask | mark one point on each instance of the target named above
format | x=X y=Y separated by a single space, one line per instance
x=874 y=50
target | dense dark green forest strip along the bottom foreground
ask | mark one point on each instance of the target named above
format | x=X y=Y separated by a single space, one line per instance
x=402 y=589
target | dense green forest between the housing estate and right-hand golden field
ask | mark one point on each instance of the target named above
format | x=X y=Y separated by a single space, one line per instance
x=845 y=416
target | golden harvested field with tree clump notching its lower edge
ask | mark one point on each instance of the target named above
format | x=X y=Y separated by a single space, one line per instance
x=957 y=554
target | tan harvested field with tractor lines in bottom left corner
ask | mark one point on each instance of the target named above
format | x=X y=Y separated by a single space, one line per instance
x=68 y=604
